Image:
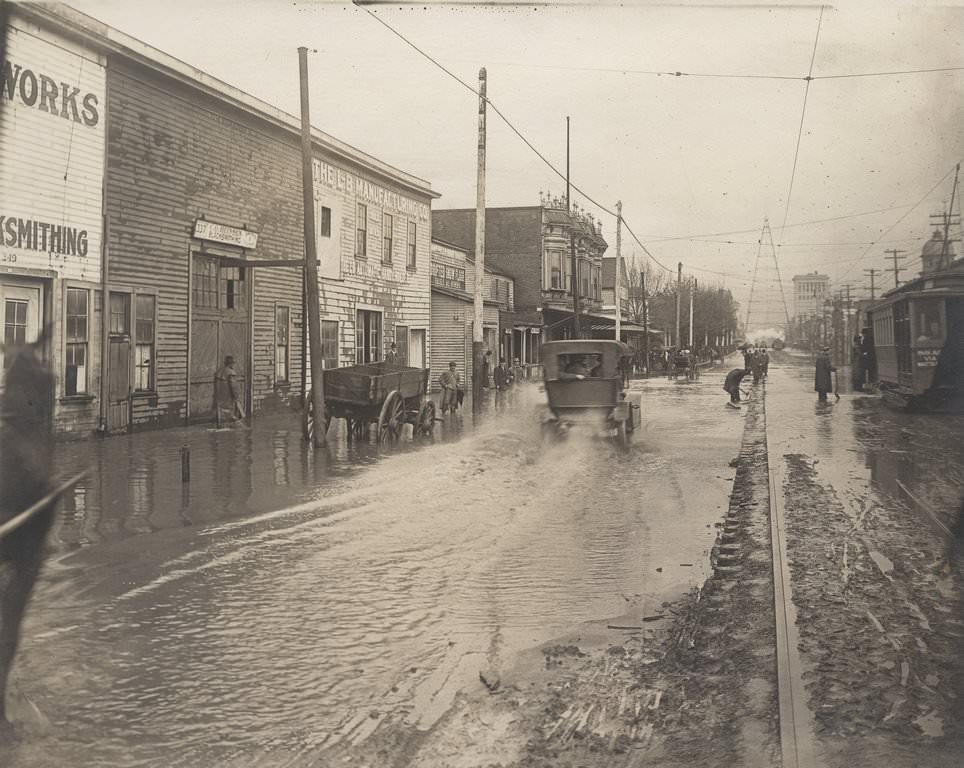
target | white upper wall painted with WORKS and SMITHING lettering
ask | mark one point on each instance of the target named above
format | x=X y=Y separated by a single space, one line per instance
x=51 y=154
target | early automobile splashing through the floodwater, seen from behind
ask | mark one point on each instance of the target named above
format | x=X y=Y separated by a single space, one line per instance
x=585 y=383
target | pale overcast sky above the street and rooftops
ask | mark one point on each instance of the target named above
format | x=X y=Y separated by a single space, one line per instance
x=688 y=156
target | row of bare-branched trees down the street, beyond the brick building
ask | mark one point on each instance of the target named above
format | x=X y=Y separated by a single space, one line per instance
x=652 y=298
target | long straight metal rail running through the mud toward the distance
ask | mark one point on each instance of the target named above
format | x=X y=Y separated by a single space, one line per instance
x=796 y=736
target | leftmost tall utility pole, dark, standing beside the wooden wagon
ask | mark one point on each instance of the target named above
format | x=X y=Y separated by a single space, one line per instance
x=311 y=260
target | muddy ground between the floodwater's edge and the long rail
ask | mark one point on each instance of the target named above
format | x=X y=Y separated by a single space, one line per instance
x=692 y=684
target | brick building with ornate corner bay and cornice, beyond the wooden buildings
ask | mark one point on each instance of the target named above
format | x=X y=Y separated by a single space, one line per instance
x=531 y=245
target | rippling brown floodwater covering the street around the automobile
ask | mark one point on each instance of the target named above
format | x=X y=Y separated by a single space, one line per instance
x=285 y=603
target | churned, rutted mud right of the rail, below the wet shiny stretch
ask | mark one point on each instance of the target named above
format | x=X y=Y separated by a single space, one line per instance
x=881 y=630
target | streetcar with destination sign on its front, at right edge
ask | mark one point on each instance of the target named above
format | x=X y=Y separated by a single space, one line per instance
x=918 y=332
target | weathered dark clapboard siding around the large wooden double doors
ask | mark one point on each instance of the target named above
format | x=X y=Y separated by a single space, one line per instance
x=172 y=158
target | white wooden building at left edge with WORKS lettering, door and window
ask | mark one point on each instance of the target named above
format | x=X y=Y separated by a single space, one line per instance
x=52 y=138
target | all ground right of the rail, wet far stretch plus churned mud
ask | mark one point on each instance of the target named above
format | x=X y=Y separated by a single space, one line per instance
x=866 y=492
